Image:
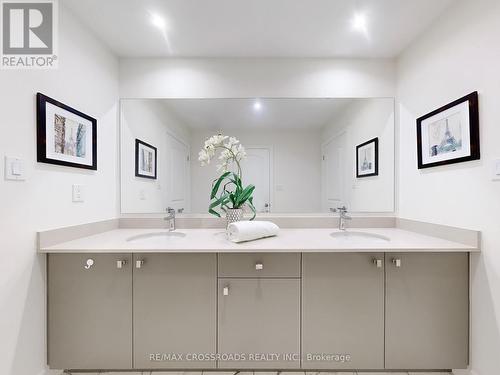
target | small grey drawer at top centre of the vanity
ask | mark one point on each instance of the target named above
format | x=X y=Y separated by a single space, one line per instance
x=259 y=265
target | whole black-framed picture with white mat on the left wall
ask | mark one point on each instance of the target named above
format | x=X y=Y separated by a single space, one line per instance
x=65 y=136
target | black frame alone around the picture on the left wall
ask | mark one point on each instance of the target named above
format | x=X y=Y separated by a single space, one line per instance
x=41 y=110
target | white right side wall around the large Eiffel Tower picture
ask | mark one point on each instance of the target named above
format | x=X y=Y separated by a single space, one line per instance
x=460 y=54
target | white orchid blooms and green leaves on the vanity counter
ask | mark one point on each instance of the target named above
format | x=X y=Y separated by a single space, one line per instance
x=227 y=190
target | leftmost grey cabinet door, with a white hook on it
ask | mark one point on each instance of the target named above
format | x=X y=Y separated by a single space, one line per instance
x=89 y=311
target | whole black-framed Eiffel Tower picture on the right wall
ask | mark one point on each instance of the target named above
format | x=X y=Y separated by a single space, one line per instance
x=449 y=134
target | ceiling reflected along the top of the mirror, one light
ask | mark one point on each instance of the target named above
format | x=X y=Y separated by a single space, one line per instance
x=222 y=114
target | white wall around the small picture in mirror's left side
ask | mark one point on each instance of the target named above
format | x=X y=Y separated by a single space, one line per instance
x=150 y=122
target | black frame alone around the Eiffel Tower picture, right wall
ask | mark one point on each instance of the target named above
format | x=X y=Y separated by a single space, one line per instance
x=475 y=153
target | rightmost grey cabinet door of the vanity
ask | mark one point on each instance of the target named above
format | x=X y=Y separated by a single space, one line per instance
x=427 y=305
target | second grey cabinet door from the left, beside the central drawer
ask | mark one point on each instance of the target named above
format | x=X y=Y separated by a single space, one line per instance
x=175 y=310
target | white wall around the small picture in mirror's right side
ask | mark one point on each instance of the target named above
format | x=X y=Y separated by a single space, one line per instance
x=361 y=121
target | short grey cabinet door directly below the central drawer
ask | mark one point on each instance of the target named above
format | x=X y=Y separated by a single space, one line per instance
x=259 y=317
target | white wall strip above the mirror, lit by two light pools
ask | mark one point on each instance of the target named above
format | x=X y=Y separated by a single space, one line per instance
x=238 y=78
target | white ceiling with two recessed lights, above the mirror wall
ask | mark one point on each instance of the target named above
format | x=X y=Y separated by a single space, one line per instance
x=258 y=28
